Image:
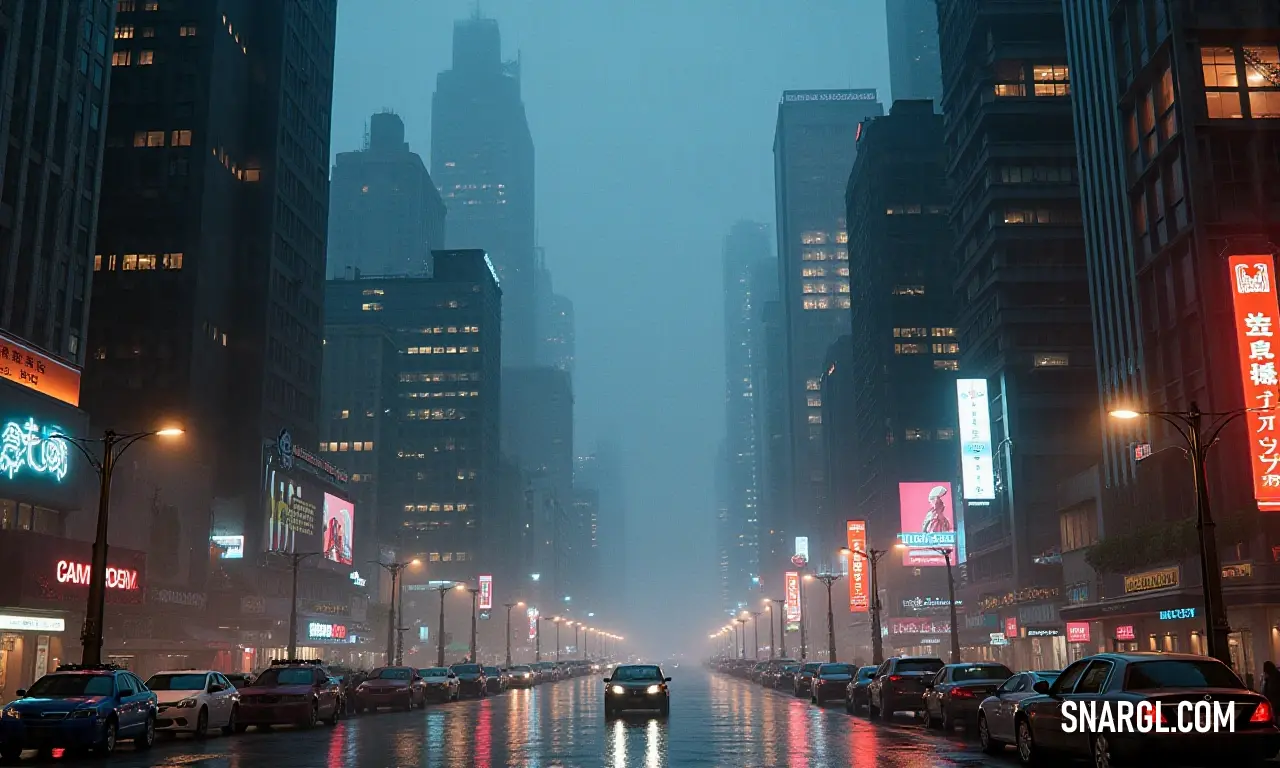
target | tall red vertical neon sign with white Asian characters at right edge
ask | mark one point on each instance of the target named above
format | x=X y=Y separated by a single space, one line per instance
x=1254 y=291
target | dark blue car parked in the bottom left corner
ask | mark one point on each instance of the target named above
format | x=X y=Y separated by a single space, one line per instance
x=80 y=707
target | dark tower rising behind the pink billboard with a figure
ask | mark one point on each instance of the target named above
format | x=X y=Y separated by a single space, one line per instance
x=904 y=355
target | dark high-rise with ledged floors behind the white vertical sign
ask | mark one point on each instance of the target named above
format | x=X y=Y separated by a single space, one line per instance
x=1025 y=319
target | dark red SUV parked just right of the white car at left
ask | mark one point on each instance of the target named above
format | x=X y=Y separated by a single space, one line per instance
x=291 y=692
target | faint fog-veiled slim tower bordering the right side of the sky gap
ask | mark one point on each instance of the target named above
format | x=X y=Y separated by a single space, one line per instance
x=747 y=258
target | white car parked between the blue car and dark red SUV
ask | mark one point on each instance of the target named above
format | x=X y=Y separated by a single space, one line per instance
x=195 y=701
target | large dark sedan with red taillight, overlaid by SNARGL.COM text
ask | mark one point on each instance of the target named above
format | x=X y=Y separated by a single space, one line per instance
x=1168 y=679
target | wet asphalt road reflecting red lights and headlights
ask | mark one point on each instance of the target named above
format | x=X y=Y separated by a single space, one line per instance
x=715 y=721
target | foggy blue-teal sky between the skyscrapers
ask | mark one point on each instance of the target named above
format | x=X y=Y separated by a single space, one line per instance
x=653 y=127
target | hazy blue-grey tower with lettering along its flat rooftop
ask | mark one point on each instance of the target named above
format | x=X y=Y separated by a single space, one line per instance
x=813 y=152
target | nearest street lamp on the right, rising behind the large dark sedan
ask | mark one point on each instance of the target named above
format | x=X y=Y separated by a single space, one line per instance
x=1188 y=424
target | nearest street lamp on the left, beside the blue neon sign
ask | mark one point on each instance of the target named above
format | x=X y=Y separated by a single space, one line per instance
x=113 y=447
